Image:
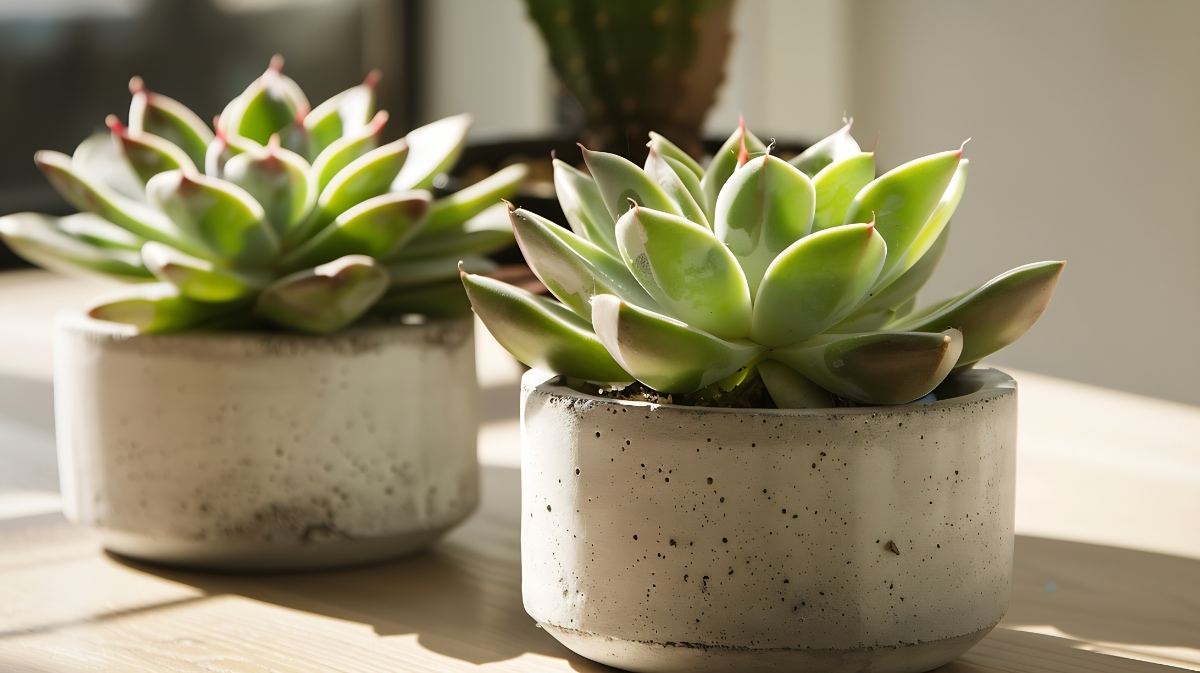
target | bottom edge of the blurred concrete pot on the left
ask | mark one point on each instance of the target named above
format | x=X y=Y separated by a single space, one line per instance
x=268 y=557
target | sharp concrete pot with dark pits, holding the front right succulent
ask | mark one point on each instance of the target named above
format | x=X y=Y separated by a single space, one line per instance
x=663 y=538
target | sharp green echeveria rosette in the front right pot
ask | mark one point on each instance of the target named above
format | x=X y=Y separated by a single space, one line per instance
x=802 y=274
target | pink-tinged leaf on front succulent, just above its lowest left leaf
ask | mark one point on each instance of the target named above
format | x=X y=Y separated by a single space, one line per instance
x=572 y=268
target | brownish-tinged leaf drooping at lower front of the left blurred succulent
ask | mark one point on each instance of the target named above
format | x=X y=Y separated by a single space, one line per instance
x=325 y=299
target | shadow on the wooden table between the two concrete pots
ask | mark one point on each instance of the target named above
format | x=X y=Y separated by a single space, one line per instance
x=463 y=598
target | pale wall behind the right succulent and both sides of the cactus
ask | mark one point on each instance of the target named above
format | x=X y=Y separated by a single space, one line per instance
x=1085 y=118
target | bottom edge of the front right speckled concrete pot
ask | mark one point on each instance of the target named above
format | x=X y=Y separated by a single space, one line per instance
x=695 y=658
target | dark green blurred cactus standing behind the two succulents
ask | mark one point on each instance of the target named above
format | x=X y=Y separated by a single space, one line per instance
x=637 y=67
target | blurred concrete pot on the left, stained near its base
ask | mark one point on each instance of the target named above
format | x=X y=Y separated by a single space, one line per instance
x=267 y=452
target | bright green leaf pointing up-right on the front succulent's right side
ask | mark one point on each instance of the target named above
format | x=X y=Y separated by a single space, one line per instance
x=902 y=202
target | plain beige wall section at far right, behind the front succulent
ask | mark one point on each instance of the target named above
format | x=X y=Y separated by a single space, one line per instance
x=1085 y=118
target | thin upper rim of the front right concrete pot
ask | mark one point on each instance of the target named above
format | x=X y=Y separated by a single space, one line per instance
x=982 y=383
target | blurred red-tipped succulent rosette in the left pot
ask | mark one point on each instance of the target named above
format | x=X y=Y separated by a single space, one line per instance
x=283 y=217
